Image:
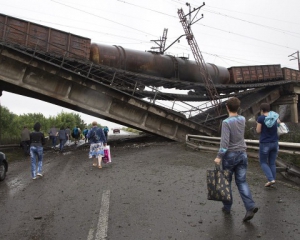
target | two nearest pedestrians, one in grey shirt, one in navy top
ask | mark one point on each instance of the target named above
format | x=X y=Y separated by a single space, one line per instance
x=232 y=153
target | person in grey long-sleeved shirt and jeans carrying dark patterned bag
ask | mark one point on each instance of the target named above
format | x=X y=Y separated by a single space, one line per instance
x=233 y=157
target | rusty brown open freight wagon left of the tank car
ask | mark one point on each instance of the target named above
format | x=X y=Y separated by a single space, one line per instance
x=41 y=38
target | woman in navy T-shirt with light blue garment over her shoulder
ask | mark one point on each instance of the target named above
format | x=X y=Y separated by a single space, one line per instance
x=268 y=142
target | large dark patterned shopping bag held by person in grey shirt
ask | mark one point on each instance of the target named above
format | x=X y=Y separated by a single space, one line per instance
x=218 y=184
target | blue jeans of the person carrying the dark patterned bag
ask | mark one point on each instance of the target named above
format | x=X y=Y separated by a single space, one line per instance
x=237 y=163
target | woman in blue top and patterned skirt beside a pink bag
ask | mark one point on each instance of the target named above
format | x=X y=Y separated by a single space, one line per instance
x=97 y=140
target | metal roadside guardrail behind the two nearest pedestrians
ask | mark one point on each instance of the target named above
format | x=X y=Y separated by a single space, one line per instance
x=205 y=143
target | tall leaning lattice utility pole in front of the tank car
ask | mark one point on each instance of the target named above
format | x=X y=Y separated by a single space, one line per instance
x=209 y=85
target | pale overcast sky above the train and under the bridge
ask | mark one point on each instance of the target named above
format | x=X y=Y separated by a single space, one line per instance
x=232 y=32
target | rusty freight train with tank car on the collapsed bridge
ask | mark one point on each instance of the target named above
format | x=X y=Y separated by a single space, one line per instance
x=26 y=34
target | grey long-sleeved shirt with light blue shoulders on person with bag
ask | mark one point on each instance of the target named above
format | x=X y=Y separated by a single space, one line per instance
x=232 y=135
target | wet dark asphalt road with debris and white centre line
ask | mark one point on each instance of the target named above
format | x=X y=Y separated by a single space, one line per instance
x=151 y=190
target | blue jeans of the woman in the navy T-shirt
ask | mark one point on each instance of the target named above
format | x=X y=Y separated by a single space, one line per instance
x=267 y=158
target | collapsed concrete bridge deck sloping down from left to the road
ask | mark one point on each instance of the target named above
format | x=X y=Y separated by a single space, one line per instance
x=32 y=76
